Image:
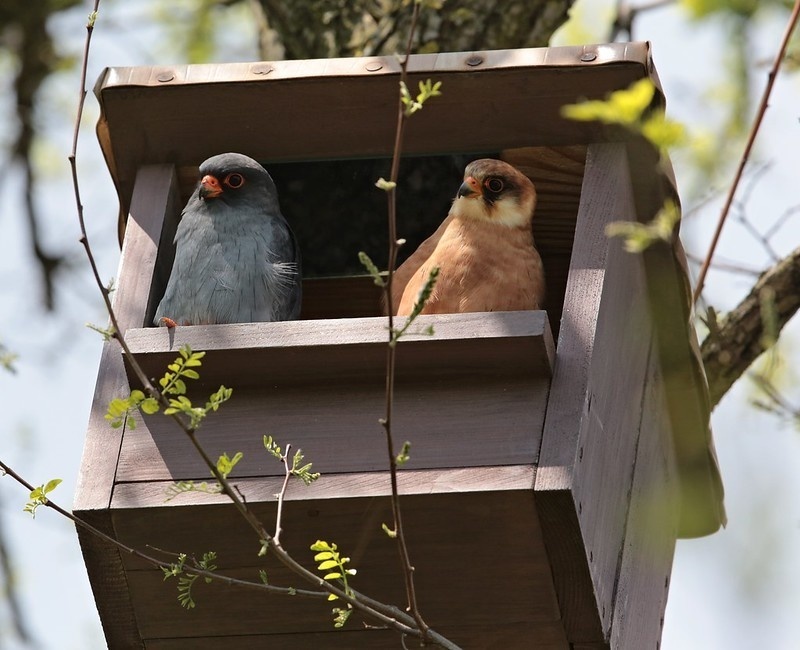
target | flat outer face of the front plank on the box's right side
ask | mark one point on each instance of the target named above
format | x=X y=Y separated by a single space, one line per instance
x=609 y=432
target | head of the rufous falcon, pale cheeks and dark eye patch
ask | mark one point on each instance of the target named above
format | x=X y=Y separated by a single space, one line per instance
x=497 y=192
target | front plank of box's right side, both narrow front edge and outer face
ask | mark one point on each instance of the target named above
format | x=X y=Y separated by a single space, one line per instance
x=591 y=425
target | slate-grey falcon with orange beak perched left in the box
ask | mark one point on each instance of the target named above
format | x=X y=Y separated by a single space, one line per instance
x=236 y=258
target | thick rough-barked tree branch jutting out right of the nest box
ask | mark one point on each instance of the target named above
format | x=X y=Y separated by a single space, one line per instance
x=737 y=340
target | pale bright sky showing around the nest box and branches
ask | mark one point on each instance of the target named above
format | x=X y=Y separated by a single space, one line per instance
x=737 y=589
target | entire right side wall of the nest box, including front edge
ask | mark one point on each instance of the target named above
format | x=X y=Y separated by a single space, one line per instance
x=598 y=414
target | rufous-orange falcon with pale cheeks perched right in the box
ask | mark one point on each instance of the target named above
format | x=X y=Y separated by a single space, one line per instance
x=484 y=249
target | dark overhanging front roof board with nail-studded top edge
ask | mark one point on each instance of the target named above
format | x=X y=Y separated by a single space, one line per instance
x=170 y=105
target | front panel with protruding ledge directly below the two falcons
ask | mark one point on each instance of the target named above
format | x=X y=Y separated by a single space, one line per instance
x=319 y=385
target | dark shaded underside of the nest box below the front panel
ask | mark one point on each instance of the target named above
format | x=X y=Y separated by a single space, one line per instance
x=450 y=534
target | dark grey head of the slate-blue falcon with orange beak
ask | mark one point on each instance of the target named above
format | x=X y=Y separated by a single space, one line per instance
x=234 y=178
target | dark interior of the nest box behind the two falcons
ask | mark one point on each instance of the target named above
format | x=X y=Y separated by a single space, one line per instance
x=336 y=211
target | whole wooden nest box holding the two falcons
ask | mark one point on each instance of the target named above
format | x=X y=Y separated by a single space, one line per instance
x=556 y=455
